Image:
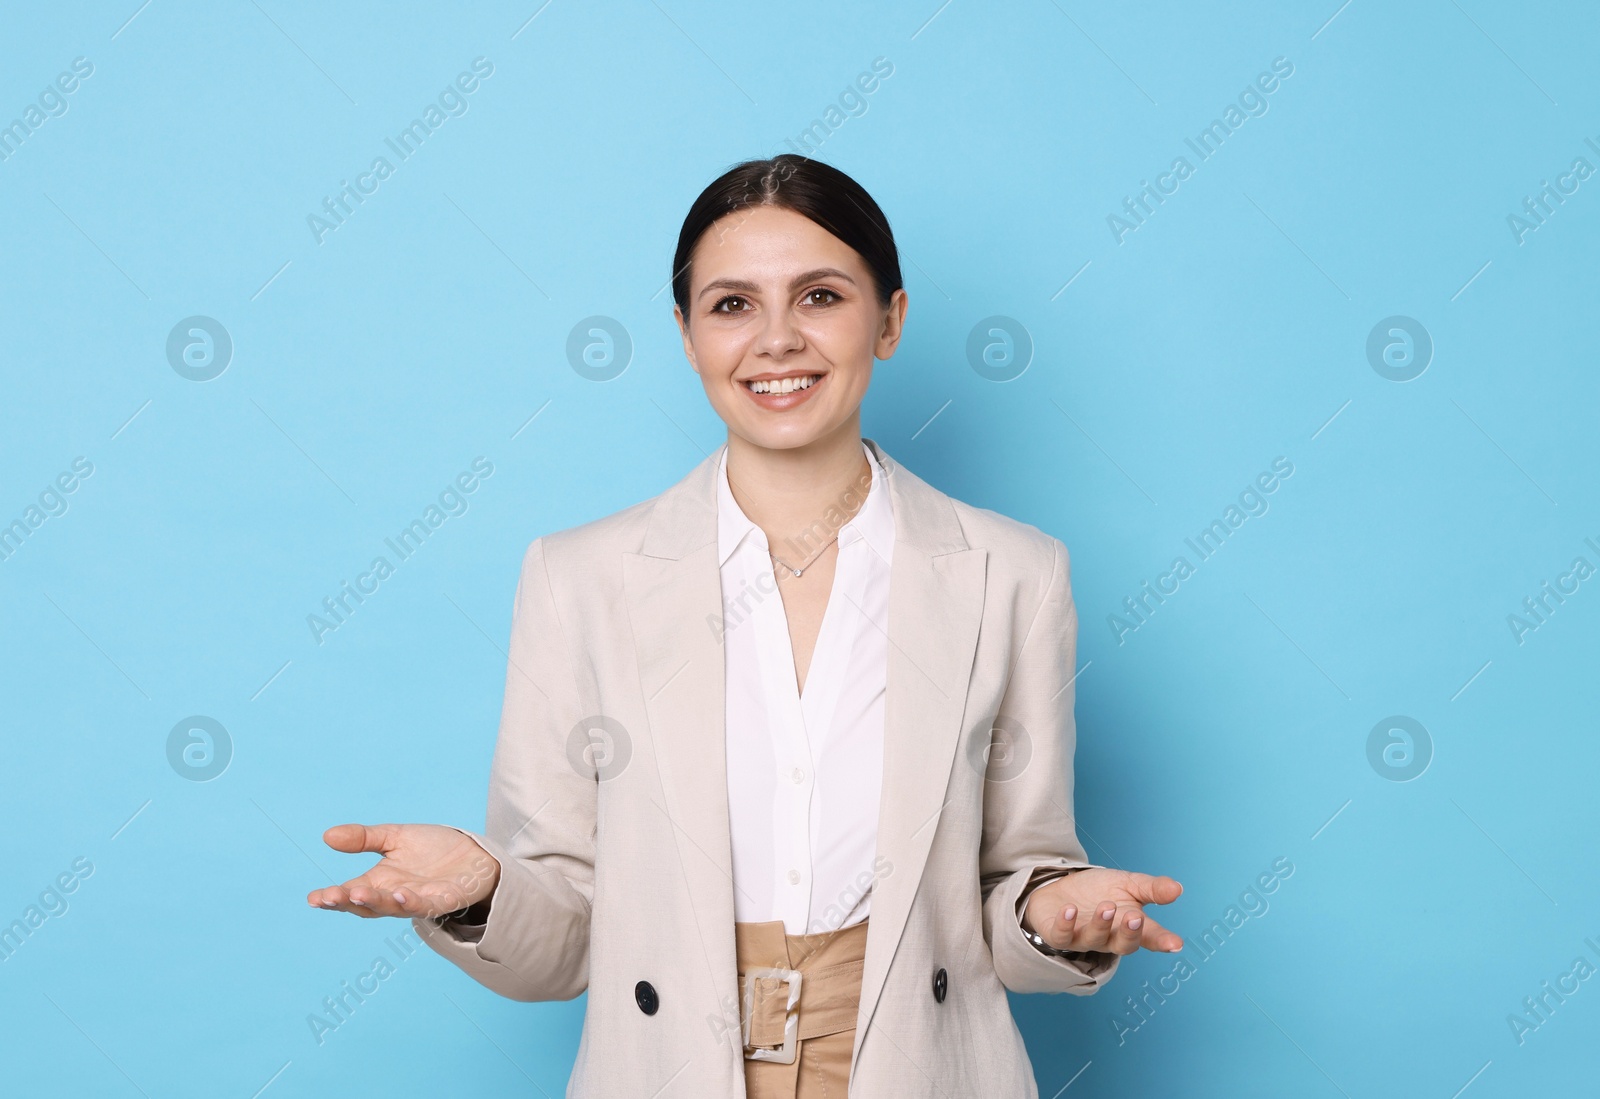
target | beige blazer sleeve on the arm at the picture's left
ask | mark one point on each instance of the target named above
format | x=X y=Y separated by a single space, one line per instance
x=540 y=823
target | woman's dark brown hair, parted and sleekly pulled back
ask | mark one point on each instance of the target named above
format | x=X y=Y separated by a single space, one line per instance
x=809 y=188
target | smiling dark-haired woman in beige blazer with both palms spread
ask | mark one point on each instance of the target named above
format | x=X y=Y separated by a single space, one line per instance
x=785 y=844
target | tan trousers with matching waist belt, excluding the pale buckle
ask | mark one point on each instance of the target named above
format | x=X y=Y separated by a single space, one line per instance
x=830 y=967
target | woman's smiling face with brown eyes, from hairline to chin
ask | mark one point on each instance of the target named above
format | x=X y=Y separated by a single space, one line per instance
x=783 y=327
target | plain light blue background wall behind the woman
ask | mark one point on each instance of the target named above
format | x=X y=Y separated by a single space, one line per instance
x=369 y=370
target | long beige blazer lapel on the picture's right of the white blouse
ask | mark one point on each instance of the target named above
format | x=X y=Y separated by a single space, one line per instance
x=937 y=601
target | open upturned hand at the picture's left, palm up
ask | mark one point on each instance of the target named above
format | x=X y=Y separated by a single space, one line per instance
x=428 y=871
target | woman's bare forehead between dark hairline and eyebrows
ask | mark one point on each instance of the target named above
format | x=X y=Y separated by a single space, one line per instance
x=769 y=242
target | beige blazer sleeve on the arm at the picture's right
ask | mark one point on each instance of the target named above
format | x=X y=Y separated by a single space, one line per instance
x=1028 y=797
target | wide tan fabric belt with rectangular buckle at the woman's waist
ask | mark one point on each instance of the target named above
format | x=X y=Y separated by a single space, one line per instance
x=796 y=986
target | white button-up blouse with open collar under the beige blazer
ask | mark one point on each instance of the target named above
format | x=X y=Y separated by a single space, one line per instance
x=806 y=770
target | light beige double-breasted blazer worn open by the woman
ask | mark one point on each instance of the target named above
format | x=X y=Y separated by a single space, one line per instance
x=615 y=852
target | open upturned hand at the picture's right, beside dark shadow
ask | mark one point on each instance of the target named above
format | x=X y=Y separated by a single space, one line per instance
x=1103 y=909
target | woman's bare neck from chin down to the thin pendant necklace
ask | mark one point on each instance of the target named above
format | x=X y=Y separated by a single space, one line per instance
x=801 y=497
